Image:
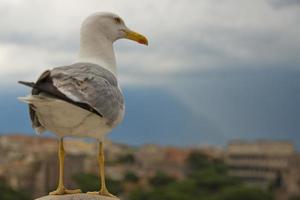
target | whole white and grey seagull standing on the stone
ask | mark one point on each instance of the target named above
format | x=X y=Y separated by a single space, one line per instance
x=83 y=99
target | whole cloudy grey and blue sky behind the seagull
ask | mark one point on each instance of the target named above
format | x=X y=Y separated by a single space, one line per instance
x=229 y=66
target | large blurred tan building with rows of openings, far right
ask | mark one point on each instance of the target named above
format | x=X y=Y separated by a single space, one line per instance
x=266 y=163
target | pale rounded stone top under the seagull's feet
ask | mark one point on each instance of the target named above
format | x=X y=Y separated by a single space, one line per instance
x=76 y=197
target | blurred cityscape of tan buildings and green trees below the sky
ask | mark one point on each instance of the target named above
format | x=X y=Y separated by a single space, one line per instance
x=264 y=169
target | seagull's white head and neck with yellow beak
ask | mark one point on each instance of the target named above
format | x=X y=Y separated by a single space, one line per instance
x=98 y=32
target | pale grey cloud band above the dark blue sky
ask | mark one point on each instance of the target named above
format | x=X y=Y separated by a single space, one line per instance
x=191 y=37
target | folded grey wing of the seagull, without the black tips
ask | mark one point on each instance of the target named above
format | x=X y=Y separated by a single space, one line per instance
x=92 y=85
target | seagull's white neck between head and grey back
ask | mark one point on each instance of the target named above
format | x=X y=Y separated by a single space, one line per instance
x=98 y=50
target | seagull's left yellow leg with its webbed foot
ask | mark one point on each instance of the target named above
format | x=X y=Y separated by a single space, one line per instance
x=61 y=188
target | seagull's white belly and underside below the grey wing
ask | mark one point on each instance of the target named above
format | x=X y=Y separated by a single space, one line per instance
x=65 y=119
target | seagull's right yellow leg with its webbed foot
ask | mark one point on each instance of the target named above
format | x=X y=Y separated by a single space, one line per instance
x=103 y=191
